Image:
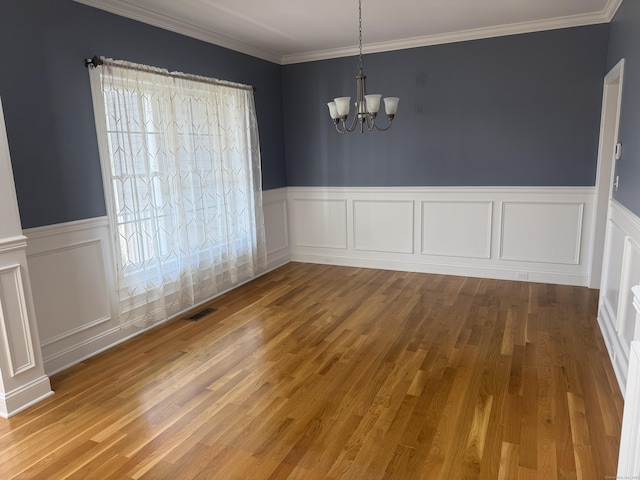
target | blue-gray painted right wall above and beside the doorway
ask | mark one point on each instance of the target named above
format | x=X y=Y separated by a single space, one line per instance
x=625 y=43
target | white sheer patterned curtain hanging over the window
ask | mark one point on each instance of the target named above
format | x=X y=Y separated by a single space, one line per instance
x=181 y=166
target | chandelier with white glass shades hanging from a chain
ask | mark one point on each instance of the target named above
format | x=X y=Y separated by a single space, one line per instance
x=367 y=106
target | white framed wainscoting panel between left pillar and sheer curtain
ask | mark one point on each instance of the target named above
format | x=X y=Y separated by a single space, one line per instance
x=78 y=298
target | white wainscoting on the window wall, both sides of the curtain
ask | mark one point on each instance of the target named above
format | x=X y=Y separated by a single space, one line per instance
x=72 y=277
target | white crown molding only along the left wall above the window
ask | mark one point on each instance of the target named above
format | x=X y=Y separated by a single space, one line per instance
x=155 y=19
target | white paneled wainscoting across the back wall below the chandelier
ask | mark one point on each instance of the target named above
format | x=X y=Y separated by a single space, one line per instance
x=529 y=233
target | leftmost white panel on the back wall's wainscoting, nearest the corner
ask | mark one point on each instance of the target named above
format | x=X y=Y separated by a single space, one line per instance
x=320 y=223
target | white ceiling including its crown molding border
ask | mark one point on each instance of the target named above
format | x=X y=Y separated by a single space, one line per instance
x=292 y=31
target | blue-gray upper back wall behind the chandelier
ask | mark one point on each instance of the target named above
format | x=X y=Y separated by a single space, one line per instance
x=509 y=111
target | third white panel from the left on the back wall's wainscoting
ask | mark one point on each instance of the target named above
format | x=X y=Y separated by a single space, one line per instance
x=459 y=229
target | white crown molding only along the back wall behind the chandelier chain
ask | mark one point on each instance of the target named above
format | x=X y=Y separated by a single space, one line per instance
x=462 y=36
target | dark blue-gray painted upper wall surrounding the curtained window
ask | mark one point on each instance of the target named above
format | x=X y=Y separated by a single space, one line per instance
x=45 y=92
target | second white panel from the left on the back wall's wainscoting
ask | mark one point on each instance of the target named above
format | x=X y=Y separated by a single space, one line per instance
x=383 y=226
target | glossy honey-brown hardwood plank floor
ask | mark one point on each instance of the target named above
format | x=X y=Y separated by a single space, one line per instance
x=323 y=372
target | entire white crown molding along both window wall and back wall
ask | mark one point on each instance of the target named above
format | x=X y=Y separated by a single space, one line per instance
x=125 y=9
